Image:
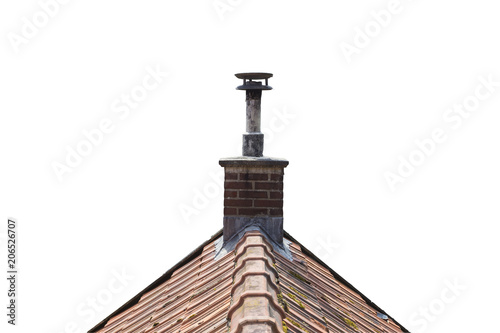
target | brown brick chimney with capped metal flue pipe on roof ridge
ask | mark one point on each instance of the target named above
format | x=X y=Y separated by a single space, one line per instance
x=253 y=184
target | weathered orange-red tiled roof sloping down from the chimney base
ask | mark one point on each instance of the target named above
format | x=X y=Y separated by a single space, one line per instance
x=251 y=288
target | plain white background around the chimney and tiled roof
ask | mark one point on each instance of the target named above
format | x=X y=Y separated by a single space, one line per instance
x=120 y=208
